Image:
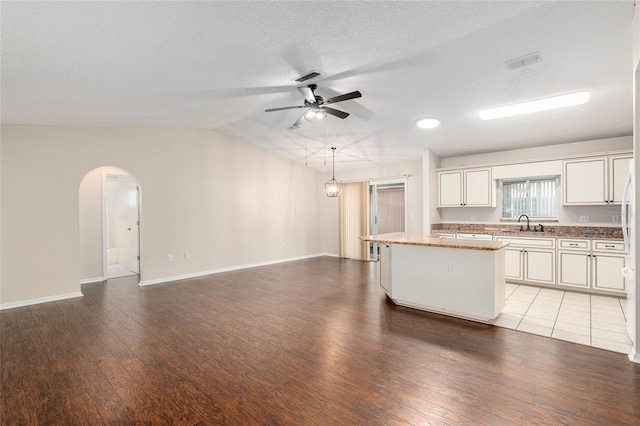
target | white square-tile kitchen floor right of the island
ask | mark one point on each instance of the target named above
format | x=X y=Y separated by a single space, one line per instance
x=592 y=320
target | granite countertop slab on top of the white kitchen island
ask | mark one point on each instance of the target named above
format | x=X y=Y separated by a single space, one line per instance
x=433 y=241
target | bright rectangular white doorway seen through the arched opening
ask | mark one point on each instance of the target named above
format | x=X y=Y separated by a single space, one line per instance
x=121 y=225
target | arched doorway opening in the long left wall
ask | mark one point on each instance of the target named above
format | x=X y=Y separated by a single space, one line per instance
x=109 y=225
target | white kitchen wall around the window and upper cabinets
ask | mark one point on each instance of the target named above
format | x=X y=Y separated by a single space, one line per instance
x=598 y=215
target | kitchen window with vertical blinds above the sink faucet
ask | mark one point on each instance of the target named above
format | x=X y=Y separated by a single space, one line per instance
x=533 y=197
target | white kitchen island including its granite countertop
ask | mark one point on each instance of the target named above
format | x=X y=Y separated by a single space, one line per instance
x=461 y=278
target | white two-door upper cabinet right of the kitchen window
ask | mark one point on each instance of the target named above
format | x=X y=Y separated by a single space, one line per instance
x=595 y=180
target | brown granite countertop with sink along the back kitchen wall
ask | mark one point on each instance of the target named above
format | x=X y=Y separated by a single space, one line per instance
x=592 y=232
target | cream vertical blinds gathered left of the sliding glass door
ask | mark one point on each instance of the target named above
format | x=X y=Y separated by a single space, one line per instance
x=353 y=206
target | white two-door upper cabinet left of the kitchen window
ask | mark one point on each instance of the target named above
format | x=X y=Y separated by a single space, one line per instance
x=464 y=188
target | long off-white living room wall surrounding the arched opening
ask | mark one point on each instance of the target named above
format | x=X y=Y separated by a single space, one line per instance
x=225 y=202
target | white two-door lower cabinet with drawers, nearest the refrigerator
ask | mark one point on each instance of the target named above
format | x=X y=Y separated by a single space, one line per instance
x=591 y=264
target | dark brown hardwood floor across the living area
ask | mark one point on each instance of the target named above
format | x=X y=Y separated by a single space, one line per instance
x=311 y=342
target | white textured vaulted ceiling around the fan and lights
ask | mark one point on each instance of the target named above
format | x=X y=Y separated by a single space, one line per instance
x=219 y=65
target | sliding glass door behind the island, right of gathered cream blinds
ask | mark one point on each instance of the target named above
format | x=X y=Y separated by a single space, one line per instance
x=388 y=209
